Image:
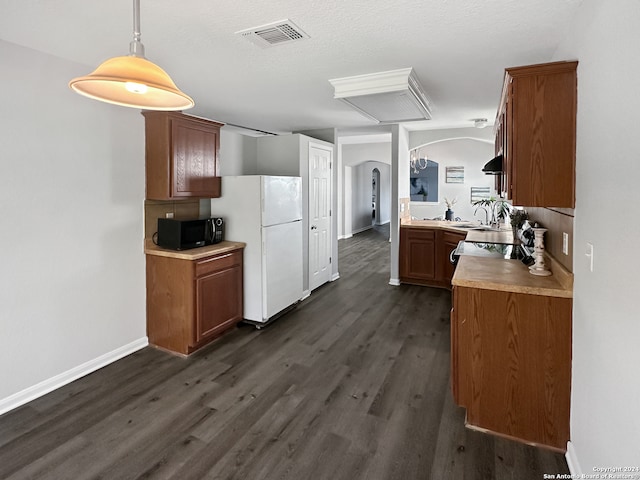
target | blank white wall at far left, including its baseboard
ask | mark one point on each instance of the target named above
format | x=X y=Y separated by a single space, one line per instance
x=72 y=281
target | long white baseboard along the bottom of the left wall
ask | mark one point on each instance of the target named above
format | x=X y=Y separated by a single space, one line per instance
x=53 y=383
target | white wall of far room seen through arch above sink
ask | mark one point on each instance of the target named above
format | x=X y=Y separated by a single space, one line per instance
x=469 y=153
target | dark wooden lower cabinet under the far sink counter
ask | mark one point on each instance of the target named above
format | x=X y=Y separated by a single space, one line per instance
x=424 y=256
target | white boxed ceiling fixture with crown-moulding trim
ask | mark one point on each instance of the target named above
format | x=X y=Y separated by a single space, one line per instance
x=385 y=97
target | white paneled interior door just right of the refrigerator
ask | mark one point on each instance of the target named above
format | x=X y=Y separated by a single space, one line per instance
x=319 y=216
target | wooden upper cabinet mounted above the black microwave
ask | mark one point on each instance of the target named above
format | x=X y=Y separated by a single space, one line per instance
x=181 y=156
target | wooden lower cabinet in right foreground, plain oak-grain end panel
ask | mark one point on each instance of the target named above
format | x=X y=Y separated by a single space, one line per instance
x=511 y=363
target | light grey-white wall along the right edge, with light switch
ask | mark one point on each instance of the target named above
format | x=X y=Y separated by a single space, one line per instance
x=605 y=427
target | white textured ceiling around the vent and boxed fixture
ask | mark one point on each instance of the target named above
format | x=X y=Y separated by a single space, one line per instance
x=458 y=49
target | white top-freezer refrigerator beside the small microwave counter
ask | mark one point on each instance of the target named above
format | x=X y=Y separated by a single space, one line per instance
x=265 y=212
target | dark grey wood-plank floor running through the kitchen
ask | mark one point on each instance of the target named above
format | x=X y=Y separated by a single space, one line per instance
x=353 y=384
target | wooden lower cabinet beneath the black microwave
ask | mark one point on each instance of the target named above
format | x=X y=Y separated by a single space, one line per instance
x=191 y=302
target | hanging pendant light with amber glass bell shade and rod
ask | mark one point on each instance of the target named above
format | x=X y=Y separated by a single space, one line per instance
x=132 y=80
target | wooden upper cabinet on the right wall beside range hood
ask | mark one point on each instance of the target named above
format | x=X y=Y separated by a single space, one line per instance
x=536 y=134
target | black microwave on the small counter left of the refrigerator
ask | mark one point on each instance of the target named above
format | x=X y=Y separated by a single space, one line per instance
x=183 y=234
